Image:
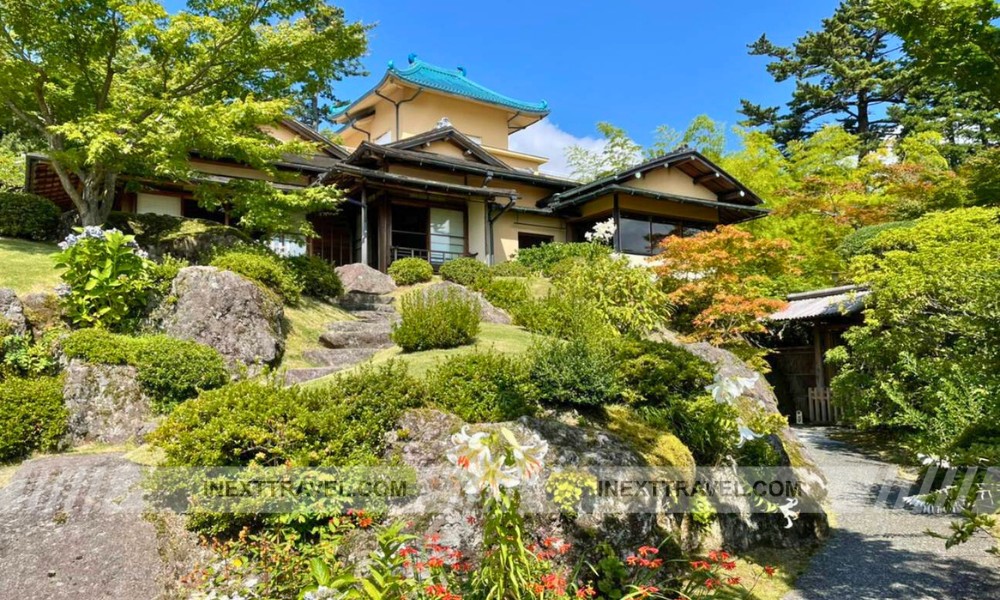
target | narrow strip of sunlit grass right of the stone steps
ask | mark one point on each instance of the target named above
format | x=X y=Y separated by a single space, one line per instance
x=501 y=338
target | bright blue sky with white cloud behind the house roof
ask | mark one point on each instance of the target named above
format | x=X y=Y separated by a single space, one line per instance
x=635 y=64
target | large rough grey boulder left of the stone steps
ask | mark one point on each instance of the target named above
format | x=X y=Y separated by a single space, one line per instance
x=227 y=312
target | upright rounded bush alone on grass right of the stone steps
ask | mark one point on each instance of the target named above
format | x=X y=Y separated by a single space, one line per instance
x=443 y=318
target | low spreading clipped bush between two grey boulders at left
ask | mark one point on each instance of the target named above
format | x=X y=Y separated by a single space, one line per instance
x=170 y=370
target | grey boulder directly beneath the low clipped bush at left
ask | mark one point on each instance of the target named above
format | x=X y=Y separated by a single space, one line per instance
x=106 y=403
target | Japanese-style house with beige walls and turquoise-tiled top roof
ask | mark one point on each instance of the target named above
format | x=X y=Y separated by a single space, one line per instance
x=425 y=162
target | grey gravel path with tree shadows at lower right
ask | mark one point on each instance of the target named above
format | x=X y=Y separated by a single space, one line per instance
x=880 y=551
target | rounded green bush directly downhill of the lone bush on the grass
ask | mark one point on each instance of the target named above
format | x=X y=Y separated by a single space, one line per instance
x=482 y=387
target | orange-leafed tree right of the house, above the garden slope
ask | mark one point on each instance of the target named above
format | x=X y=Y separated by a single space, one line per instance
x=721 y=284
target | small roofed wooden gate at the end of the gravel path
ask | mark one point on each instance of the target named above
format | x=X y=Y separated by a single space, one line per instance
x=810 y=325
